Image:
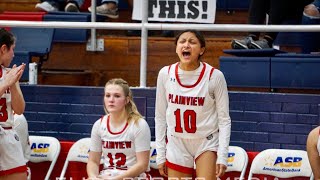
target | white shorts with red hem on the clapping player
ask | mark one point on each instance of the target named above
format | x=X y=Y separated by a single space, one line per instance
x=11 y=155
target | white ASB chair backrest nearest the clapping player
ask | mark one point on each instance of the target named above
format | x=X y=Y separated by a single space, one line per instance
x=44 y=148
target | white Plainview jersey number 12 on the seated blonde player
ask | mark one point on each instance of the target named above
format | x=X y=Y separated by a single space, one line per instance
x=119 y=147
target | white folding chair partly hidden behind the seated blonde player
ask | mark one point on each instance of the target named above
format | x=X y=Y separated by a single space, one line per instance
x=78 y=153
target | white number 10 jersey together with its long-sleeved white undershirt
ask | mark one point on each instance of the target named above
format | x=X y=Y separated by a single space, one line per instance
x=191 y=105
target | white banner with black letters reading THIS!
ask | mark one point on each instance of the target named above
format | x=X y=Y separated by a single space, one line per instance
x=195 y=11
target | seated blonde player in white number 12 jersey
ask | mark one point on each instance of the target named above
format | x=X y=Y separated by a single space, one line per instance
x=121 y=136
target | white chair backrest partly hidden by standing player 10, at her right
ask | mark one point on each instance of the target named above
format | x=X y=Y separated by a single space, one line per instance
x=237 y=160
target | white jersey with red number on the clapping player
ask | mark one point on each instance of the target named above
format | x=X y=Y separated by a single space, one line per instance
x=6 y=114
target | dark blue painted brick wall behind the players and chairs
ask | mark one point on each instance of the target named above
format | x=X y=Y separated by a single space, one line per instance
x=259 y=120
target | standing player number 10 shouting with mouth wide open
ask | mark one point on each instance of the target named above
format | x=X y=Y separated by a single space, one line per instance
x=192 y=113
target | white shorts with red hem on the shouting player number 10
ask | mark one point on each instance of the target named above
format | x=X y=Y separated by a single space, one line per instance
x=182 y=153
